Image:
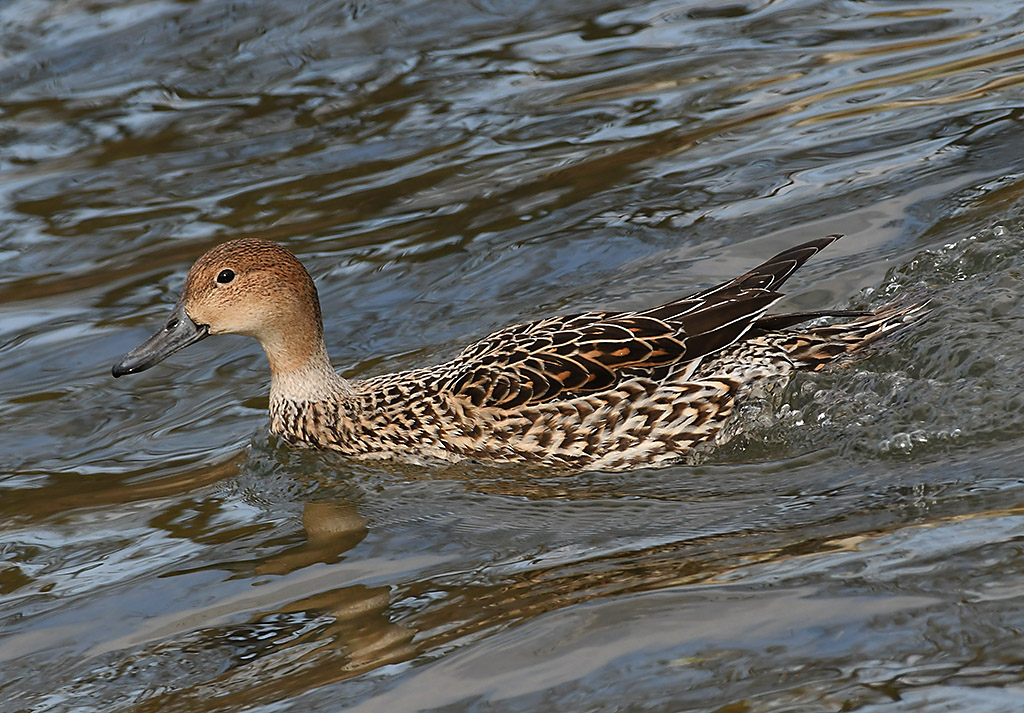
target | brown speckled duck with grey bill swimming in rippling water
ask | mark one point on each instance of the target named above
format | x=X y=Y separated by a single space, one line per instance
x=607 y=391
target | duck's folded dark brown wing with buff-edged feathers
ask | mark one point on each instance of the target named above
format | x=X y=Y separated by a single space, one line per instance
x=565 y=357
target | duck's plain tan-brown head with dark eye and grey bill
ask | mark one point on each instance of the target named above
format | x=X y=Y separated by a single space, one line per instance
x=248 y=286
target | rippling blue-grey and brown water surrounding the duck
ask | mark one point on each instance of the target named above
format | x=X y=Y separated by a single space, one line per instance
x=448 y=169
